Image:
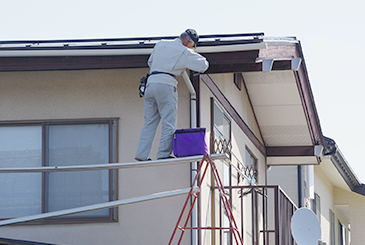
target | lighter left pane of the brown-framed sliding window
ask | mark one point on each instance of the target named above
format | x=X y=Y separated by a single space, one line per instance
x=20 y=194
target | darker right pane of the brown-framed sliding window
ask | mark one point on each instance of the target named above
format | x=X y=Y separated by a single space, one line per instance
x=78 y=145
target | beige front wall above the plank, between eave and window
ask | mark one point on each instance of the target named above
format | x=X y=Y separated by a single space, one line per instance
x=83 y=94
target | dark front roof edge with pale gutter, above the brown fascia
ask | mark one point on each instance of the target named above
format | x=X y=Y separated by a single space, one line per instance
x=121 y=46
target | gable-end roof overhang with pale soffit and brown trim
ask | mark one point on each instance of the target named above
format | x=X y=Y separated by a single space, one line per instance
x=283 y=104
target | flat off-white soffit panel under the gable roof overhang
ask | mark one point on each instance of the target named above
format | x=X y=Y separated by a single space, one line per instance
x=278 y=108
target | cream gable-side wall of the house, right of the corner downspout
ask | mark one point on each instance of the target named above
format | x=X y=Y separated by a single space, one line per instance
x=240 y=141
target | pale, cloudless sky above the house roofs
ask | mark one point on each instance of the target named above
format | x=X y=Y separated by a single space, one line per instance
x=330 y=31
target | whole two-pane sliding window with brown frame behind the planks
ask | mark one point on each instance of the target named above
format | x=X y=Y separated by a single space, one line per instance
x=62 y=143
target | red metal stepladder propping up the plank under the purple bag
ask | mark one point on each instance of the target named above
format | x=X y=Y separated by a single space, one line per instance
x=193 y=195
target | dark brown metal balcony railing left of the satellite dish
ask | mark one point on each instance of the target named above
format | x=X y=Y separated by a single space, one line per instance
x=263 y=214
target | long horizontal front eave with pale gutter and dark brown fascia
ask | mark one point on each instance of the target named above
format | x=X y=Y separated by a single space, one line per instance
x=119 y=53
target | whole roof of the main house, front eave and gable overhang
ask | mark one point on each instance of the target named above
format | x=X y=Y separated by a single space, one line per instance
x=273 y=70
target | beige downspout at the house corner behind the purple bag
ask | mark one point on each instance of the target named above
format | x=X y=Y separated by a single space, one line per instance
x=193 y=165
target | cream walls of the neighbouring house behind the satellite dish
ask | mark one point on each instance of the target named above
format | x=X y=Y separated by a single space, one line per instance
x=347 y=206
